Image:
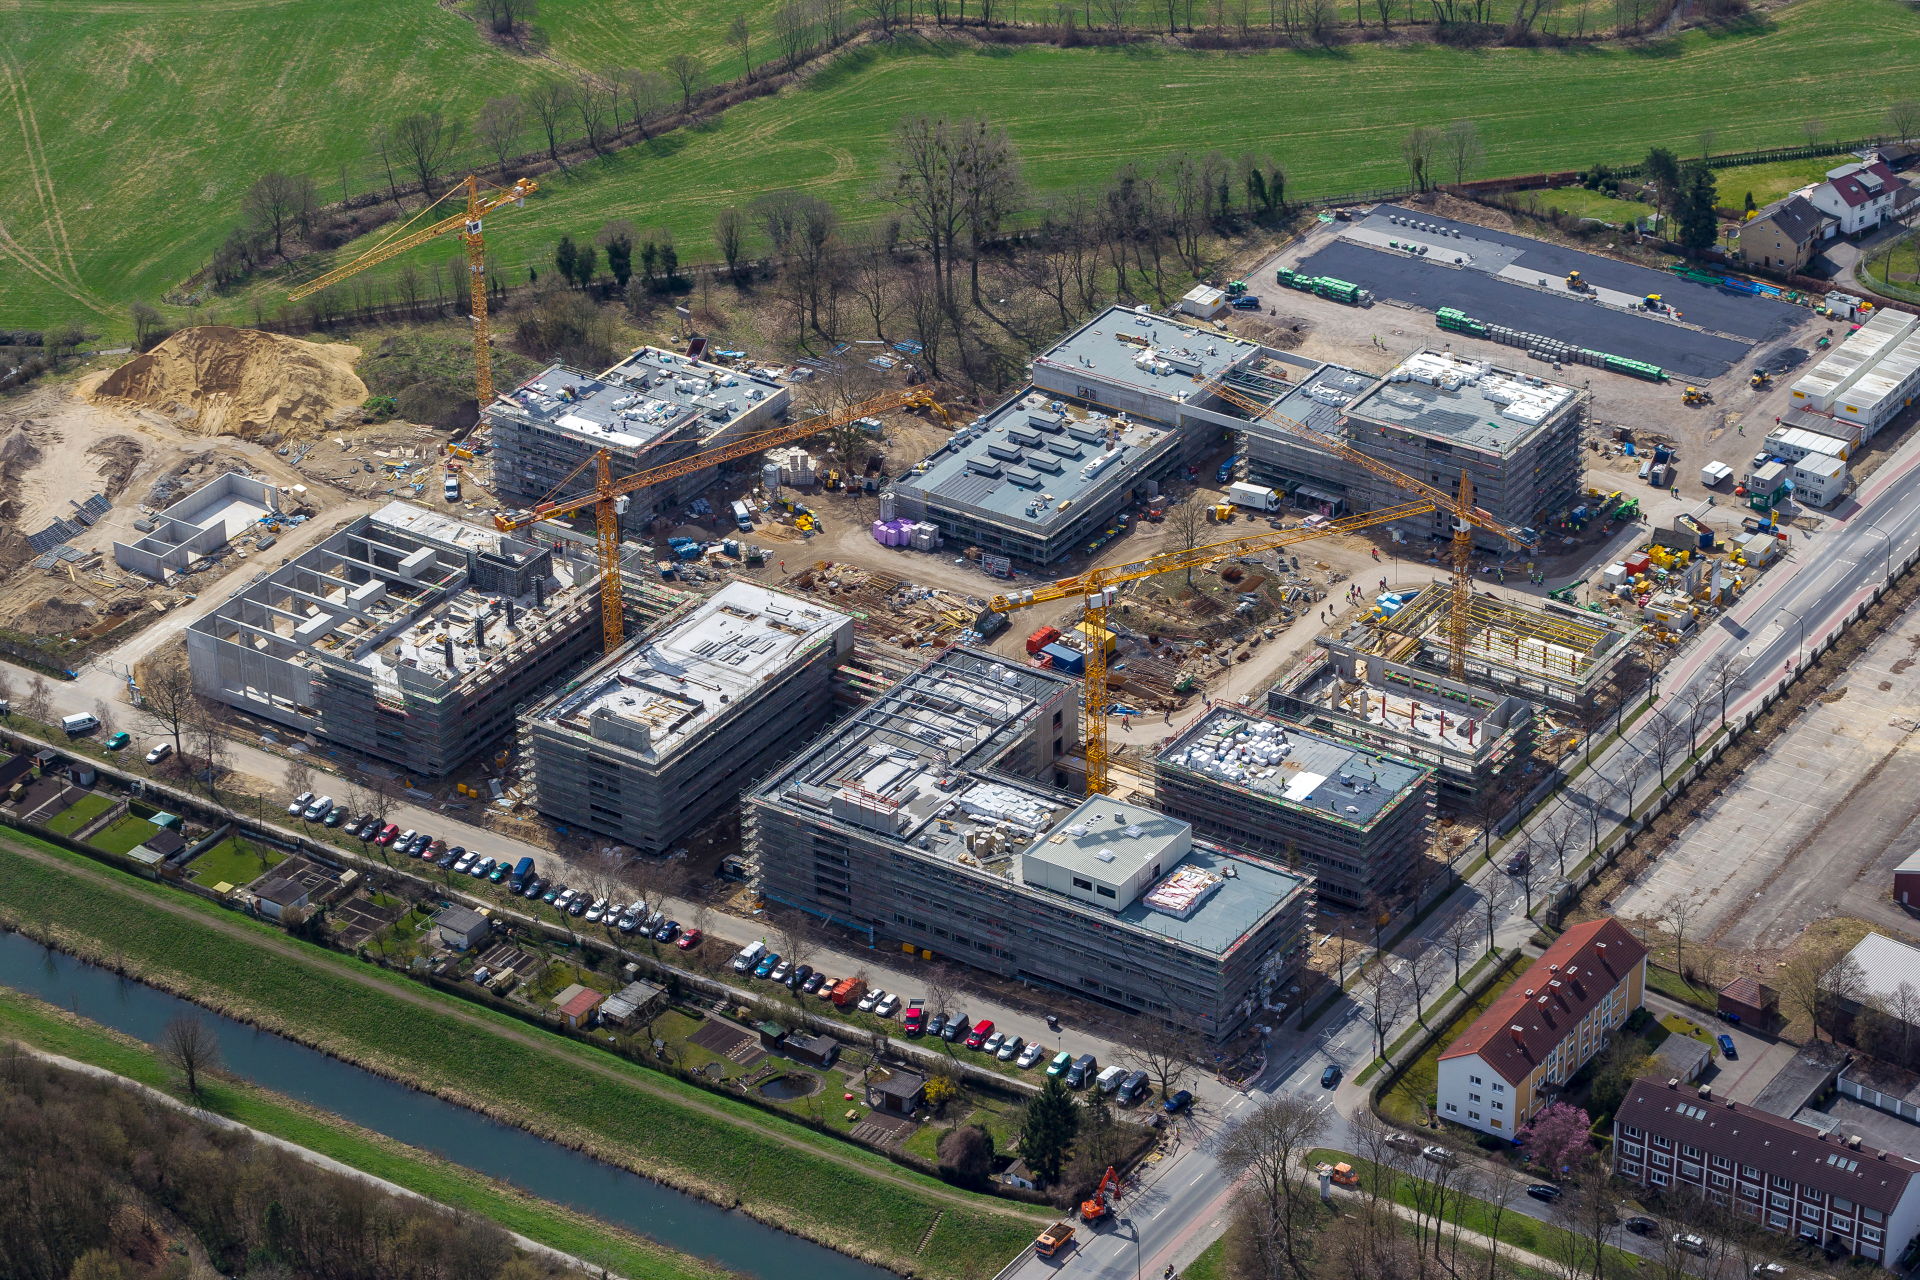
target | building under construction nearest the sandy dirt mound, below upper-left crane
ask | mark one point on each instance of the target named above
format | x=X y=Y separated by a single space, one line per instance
x=650 y=410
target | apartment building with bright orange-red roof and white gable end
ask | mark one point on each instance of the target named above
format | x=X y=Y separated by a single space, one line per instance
x=1556 y=1016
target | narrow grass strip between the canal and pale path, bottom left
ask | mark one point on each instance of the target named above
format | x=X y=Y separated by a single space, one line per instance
x=41 y=1026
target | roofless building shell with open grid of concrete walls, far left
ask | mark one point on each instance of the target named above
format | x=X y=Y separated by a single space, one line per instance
x=408 y=636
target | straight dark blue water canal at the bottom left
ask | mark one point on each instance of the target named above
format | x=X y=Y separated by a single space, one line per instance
x=425 y=1122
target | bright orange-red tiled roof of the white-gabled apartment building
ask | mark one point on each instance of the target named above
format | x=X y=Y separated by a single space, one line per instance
x=1550 y=999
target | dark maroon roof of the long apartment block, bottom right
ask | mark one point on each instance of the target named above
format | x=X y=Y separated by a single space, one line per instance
x=1769 y=1143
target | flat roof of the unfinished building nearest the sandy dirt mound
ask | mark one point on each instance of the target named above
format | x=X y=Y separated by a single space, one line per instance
x=642 y=400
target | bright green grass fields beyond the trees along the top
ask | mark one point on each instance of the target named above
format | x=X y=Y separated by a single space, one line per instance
x=139 y=130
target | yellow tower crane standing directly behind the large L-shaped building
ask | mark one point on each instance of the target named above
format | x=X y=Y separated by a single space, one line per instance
x=1095 y=590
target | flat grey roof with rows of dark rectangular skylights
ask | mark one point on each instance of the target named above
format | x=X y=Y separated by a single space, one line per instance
x=1038 y=460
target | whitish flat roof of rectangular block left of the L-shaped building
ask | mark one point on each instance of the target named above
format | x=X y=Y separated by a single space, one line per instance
x=679 y=680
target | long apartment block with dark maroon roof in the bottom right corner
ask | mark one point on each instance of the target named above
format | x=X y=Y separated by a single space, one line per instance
x=1825 y=1189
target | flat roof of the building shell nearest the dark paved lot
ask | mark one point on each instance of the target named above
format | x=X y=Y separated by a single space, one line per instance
x=1466 y=402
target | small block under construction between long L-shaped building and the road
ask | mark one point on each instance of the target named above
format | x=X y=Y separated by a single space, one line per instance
x=1351 y=817
